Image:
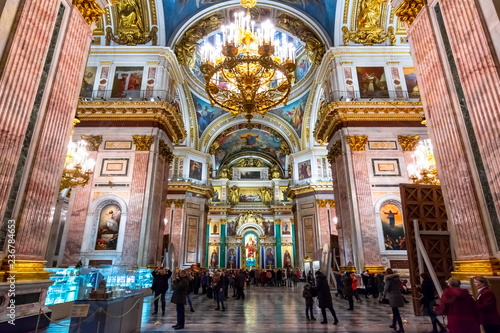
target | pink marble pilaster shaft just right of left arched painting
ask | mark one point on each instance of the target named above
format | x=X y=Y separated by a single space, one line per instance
x=136 y=208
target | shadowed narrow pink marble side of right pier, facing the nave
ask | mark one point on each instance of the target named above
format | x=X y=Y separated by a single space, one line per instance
x=342 y=210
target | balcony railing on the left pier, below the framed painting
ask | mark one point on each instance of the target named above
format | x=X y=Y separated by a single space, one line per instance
x=126 y=95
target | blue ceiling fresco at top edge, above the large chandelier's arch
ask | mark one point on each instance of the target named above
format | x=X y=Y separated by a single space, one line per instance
x=179 y=11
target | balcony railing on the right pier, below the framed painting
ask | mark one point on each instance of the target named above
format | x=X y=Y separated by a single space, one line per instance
x=367 y=95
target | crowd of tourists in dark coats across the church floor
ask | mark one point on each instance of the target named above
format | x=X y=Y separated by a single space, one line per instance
x=464 y=314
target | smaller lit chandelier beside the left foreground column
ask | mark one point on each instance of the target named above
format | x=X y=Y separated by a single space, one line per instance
x=78 y=167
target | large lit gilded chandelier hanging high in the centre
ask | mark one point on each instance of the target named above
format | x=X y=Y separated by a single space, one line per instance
x=249 y=70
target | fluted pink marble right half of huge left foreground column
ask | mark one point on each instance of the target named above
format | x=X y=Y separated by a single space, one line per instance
x=44 y=174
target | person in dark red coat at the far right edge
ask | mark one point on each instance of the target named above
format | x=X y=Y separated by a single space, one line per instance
x=487 y=305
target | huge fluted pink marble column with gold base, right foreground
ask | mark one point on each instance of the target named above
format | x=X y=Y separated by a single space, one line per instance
x=458 y=77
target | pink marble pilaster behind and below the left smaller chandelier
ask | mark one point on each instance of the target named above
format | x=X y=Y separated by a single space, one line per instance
x=77 y=219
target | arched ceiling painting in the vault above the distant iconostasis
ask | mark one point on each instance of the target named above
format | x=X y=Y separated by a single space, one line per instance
x=261 y=140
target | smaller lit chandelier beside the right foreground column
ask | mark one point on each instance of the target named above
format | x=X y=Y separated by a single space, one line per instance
x=423 y=170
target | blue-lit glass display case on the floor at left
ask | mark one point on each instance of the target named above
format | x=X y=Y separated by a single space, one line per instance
x=82 y=283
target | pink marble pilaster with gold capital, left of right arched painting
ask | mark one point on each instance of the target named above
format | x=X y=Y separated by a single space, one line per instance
x=370 y=248
